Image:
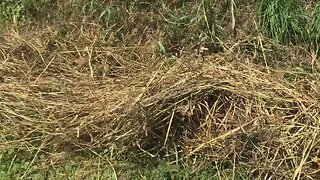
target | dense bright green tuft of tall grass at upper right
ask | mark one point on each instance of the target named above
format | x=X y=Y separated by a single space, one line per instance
x=283 y=20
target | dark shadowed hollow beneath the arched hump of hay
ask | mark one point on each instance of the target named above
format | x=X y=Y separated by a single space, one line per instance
x=188 y=115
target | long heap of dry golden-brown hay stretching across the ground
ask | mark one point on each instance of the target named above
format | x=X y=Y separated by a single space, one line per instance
x=58 y=96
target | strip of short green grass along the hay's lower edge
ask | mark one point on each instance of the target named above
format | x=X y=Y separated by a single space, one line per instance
x=15 y=165
